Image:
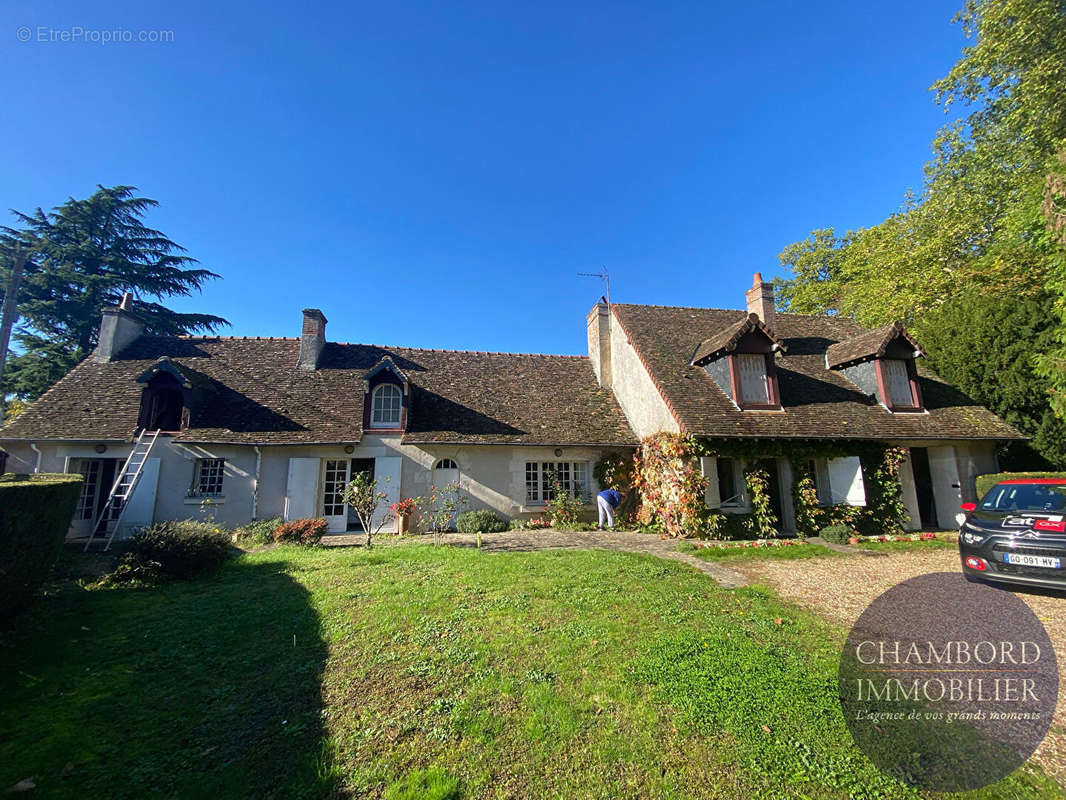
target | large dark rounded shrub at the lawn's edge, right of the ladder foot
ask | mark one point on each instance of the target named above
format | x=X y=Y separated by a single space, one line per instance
x=176 y=550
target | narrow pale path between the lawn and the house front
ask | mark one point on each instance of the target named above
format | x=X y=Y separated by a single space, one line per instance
x=525 y=541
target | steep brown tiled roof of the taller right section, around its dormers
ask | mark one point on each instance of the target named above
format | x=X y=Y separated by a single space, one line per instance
x=817 y=403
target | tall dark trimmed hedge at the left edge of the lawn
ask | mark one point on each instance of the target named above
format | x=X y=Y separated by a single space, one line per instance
x=36 y=514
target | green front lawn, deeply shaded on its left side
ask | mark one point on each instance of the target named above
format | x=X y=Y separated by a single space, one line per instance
x=316 y=673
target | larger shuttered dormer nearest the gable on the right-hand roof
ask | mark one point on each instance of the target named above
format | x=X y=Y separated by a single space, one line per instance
x=740 y=360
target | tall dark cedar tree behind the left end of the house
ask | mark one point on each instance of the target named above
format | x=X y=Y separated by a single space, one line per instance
x=84 y=255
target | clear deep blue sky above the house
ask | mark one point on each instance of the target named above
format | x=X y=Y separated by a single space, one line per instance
x=438 y=174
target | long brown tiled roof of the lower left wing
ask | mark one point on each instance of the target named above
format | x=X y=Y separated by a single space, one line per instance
x=255 y=394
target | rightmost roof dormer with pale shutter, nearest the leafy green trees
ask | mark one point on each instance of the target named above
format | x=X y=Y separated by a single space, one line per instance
x=882 y=364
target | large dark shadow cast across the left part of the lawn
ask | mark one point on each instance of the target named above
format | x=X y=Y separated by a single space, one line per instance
x=209 y=687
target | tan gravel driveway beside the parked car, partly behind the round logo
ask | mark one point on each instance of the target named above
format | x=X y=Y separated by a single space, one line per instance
x=841 y=589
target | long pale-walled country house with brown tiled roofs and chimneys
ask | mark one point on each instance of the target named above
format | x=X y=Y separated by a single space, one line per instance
x=256 y=428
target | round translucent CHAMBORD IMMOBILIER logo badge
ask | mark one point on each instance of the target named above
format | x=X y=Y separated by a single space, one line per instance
x=948 y=685
